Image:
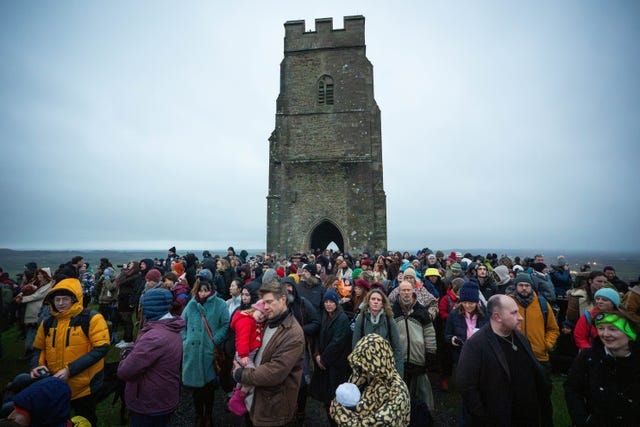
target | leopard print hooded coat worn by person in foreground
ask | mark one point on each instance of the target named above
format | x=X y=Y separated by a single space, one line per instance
x=385 y=398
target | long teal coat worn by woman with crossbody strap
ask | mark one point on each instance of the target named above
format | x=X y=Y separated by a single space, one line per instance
x=198 y=349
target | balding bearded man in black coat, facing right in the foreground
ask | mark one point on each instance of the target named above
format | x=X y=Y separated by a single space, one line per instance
x=501 y=382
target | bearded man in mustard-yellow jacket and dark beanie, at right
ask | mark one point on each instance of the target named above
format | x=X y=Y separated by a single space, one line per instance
x=538 y=325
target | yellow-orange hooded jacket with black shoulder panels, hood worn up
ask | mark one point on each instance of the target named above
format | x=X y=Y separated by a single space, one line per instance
x=67 y=346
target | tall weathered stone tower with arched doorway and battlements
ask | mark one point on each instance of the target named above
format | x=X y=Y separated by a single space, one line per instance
x=325 y=154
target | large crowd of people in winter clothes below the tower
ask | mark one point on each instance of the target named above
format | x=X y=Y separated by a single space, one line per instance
x=369 y=336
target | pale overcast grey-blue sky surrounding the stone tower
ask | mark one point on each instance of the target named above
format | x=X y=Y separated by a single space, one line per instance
x=144 y=124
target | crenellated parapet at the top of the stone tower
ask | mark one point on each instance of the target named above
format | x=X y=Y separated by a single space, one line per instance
x=325 y=36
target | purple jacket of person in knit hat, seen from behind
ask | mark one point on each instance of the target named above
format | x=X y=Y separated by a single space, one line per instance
x=152 y=369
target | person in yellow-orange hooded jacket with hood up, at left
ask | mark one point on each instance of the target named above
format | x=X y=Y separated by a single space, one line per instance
x=72 y=346
